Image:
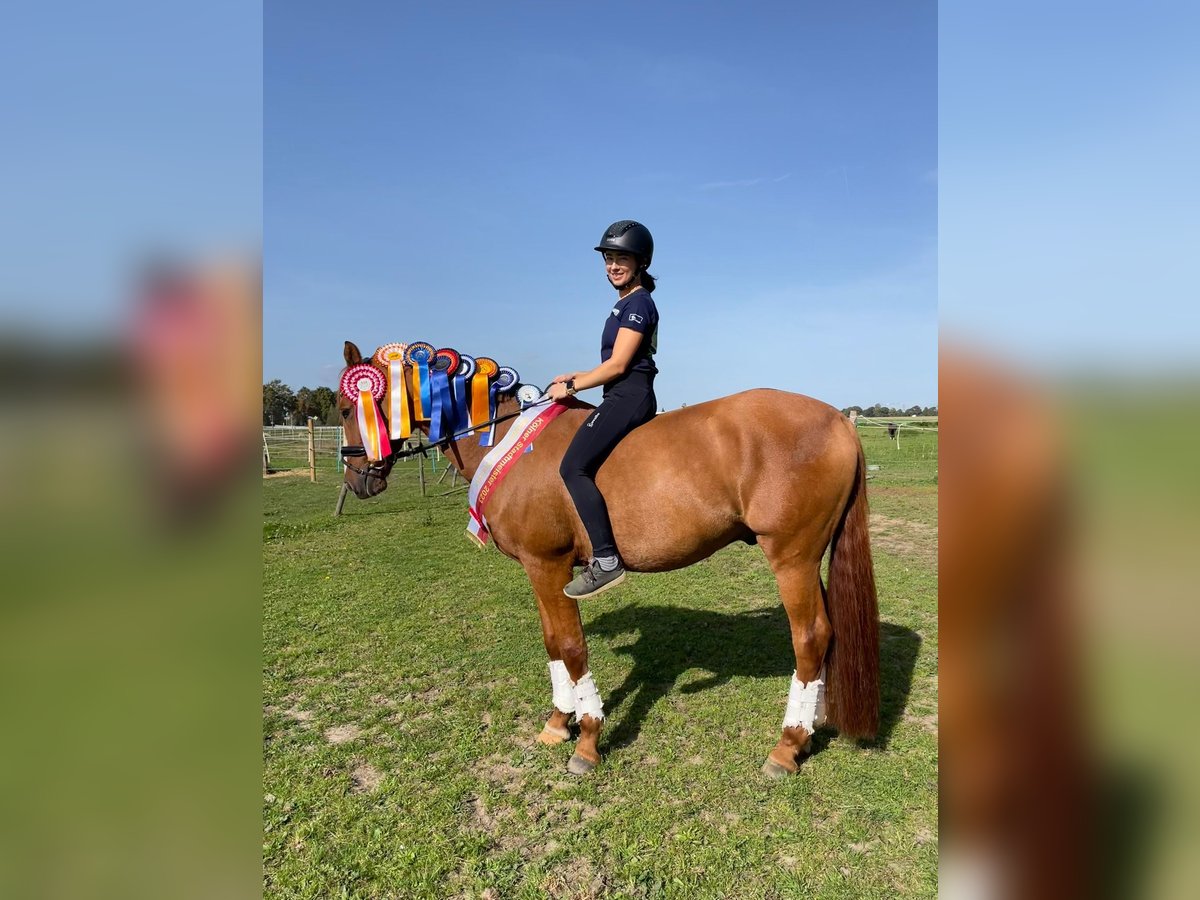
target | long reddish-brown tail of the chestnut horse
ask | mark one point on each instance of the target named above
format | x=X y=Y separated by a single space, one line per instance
x=853 y=667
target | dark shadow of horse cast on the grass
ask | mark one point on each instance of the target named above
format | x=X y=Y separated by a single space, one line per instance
x=671 y=640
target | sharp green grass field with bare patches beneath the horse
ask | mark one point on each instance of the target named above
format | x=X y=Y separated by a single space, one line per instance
x=405 y=681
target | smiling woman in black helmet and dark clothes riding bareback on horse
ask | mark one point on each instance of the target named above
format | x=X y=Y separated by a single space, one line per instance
x=627 y=373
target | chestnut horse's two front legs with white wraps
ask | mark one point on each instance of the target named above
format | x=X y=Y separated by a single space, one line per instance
x=573 y=691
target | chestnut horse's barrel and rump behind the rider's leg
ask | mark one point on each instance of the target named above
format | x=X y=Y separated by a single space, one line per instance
x=763 y=463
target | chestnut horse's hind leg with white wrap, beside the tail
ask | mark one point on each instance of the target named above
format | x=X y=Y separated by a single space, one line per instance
x=800 y=586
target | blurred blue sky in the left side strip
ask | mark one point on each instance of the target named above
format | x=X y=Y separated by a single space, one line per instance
x=131 y=128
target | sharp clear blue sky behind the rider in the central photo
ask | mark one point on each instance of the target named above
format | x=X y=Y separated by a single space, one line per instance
x=441 y=172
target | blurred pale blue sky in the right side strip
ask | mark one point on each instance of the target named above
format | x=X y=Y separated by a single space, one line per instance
x=1070 y=207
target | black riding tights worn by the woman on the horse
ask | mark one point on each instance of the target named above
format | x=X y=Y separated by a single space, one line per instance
x=626 y=407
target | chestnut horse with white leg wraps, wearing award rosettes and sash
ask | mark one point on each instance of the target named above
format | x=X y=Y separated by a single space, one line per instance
x=765 y=467
